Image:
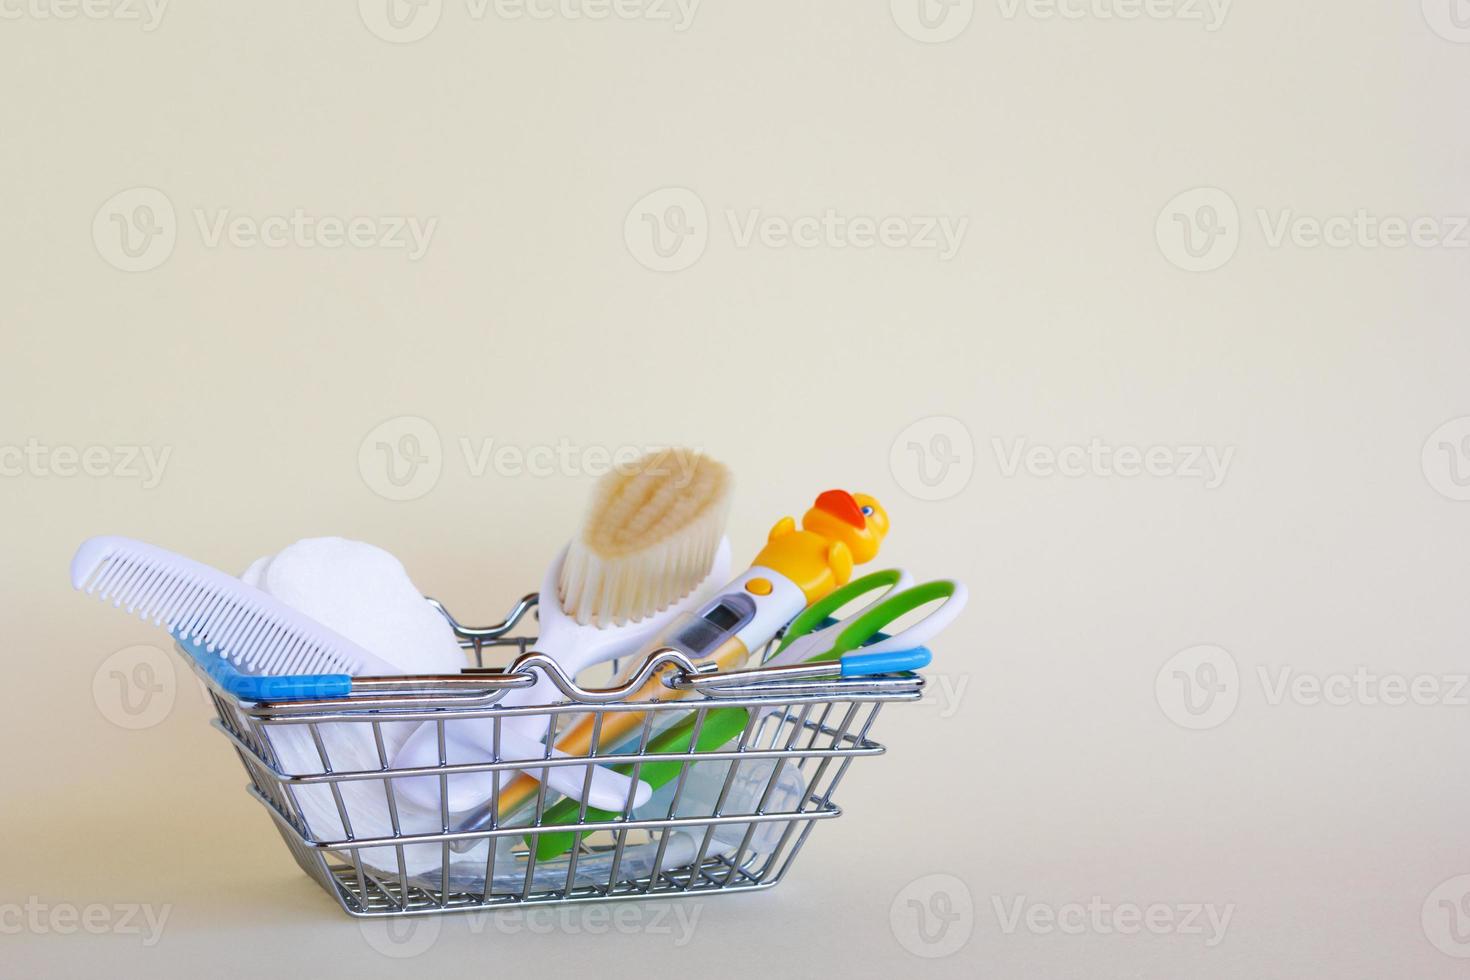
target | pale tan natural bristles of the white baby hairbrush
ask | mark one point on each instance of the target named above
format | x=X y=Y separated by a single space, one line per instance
x=650 y=538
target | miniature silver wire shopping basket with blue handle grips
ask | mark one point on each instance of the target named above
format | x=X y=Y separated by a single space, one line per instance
x=733 y=818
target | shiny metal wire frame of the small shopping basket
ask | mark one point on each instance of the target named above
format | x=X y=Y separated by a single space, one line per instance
x=797 y=718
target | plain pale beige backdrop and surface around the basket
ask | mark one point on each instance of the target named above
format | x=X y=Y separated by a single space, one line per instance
x=1046 y=768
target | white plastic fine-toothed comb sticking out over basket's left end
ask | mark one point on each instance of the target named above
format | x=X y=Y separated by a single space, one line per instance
x=193 y=602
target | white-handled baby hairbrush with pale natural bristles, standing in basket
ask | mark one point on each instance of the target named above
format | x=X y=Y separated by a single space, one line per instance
x=652 y=549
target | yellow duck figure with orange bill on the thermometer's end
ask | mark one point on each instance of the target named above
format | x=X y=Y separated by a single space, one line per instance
x=840 y=531
